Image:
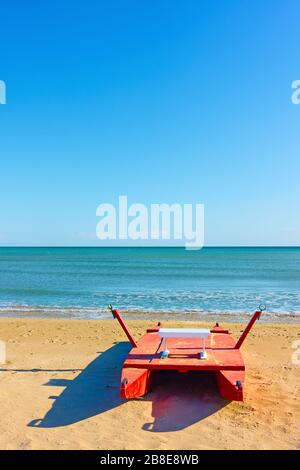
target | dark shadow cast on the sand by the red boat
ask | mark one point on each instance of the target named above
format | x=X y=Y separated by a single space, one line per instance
x=178 y=400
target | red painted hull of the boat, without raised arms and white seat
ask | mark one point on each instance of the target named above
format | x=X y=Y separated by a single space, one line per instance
x=222 y=358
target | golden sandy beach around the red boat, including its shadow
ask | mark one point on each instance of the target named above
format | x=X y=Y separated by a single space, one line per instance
x=59 y=389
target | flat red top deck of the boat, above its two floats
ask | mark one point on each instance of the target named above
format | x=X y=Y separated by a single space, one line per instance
x=184 y=354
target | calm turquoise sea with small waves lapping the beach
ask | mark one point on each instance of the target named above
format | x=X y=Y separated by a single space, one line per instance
x=81 y=281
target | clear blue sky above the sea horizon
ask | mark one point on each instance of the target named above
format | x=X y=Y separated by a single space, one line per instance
x=165 y=101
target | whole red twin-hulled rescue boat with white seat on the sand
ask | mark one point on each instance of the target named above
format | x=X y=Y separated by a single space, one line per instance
x=185 y=349
